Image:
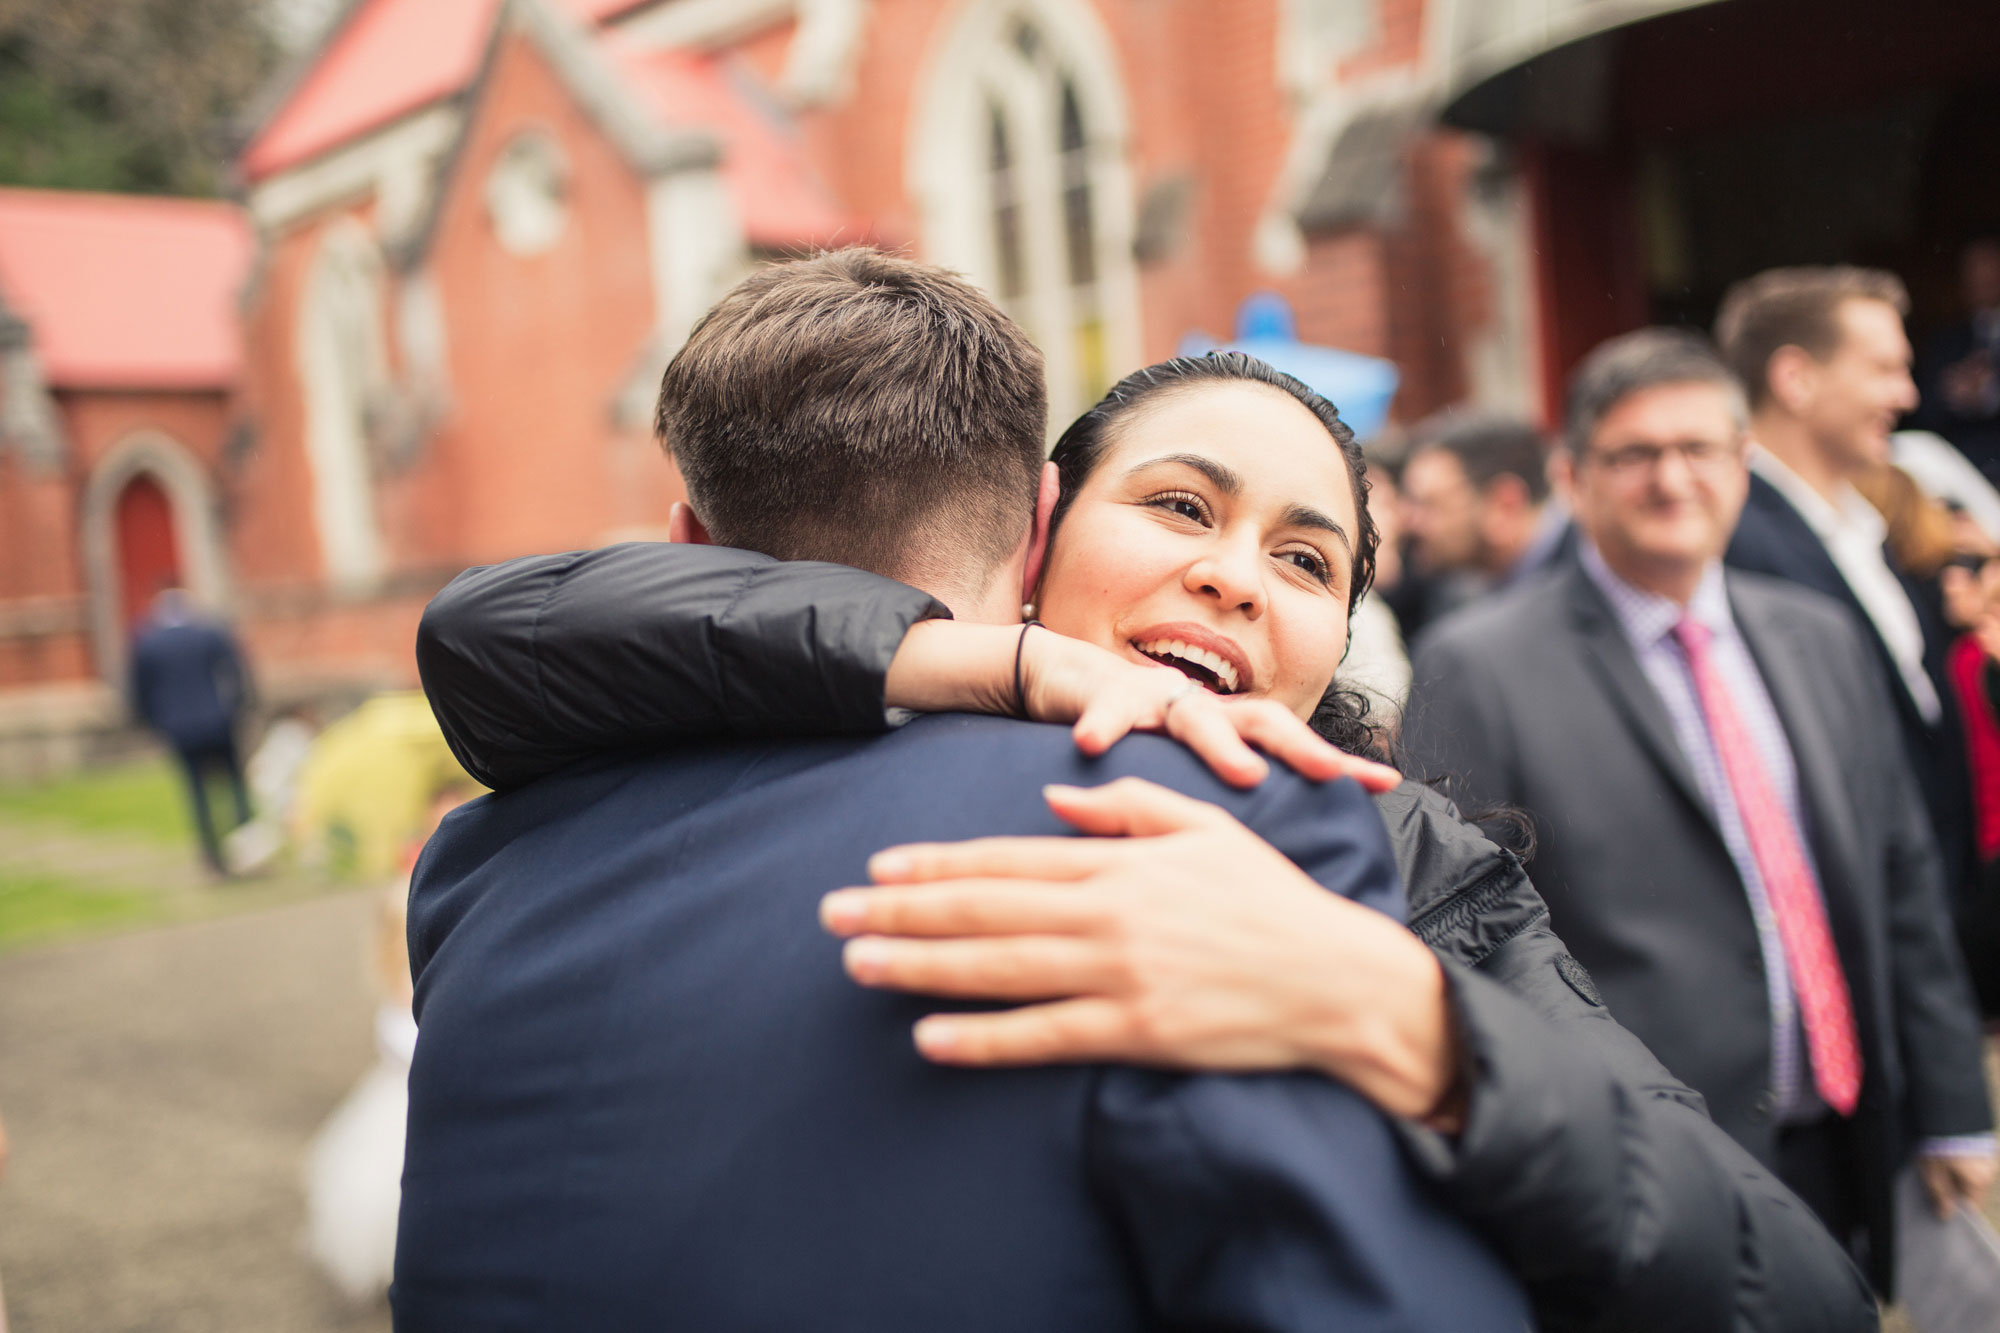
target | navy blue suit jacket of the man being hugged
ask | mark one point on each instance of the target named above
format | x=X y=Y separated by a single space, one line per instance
x=649 y=1098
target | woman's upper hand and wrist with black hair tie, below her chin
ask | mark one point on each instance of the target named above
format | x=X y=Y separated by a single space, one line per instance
x=949 y=665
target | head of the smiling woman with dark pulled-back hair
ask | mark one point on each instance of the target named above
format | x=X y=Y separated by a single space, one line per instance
x=1213 y=519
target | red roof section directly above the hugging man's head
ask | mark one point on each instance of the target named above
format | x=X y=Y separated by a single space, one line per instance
x=771 y=179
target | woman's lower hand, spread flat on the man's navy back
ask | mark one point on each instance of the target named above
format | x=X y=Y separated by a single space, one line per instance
x=1187 y=942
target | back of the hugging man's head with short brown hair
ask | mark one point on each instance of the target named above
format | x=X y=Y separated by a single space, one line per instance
x=863 y=409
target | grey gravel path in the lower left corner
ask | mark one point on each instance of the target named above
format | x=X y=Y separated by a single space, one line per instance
x=159 y=1092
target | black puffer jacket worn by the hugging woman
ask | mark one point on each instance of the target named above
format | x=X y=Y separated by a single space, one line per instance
x=1595 y=1174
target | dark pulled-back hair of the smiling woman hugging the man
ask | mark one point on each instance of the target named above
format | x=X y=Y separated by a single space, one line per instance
x=1343 y=714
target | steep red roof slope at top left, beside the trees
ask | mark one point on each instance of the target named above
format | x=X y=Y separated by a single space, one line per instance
x=391 y=59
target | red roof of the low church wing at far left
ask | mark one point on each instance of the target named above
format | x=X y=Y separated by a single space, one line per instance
x=127 y=291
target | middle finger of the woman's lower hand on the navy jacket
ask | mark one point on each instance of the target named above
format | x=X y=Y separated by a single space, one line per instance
x=961 y=908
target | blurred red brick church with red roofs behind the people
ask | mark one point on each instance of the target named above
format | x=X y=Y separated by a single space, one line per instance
x=471 y=233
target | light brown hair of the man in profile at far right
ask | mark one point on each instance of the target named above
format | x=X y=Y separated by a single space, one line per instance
x=1795 y=307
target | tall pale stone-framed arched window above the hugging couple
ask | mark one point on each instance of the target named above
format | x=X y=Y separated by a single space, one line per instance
x=1021 y=173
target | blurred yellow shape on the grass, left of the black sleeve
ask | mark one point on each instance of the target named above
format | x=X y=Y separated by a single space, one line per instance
x=369 y=786
